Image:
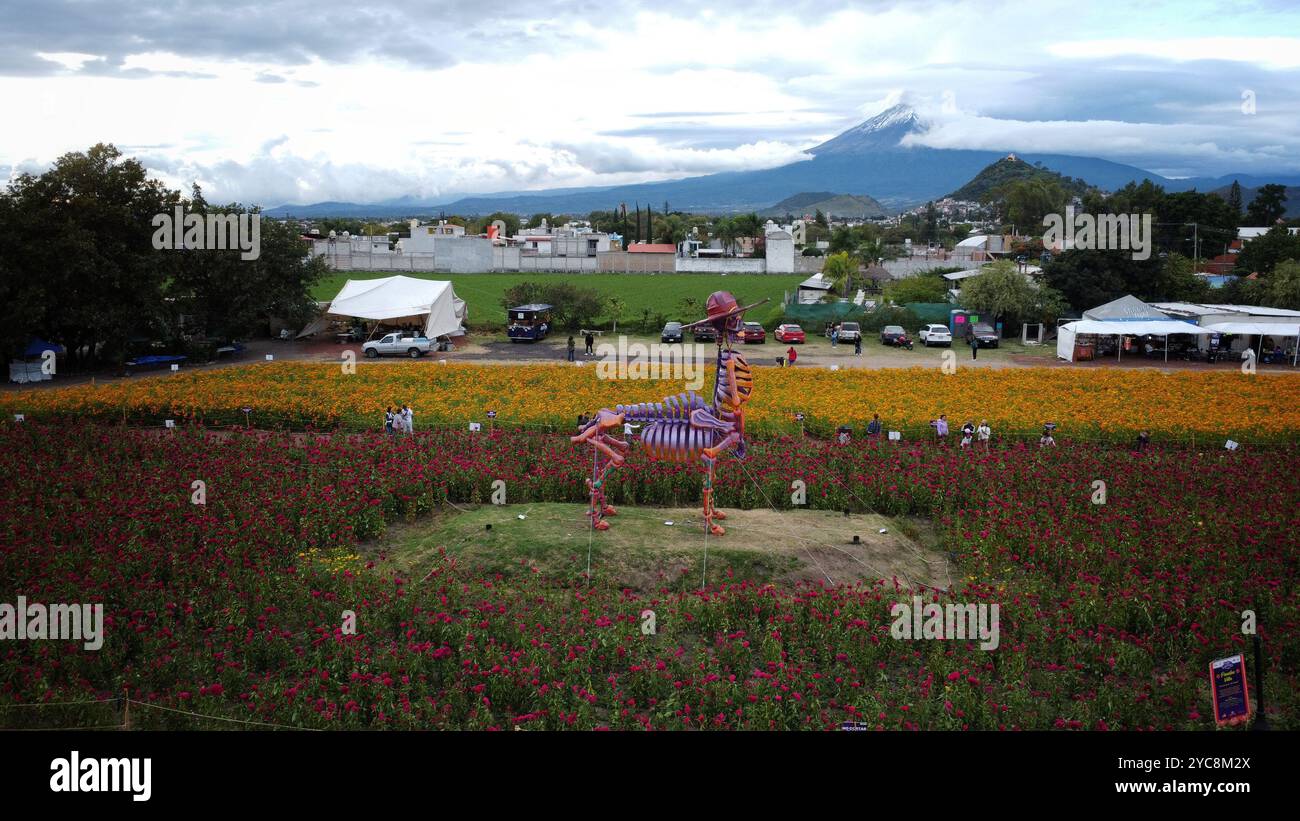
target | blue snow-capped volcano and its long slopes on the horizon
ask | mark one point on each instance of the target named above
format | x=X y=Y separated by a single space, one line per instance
x=866 y=160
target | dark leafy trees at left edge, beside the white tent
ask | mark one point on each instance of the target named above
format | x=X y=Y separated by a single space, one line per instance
x=79 y=267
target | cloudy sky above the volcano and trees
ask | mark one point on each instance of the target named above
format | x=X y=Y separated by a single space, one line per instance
x=280 y=102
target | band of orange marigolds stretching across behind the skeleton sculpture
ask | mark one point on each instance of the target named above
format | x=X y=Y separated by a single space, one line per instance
x=1085 y=403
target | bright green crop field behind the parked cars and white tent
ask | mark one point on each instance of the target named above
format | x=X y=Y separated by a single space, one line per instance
x=660 y=293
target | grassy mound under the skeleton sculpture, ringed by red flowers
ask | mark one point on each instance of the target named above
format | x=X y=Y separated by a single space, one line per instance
x=643 y=553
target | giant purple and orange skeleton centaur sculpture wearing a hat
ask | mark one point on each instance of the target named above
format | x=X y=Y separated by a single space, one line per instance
x=682 y=428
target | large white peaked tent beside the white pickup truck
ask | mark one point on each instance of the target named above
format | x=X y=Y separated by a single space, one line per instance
x=397 y=301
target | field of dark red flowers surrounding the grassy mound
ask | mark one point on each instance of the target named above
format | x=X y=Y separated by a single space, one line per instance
x=1110 y=613
